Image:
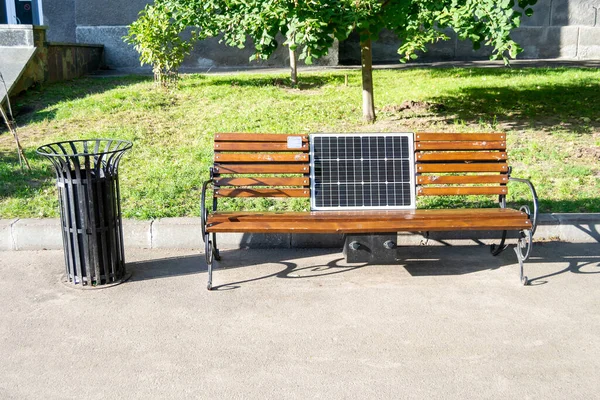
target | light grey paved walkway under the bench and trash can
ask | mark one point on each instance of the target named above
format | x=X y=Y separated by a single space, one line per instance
x=447 y=322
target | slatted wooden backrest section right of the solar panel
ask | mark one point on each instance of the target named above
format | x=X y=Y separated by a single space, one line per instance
x=450 y=164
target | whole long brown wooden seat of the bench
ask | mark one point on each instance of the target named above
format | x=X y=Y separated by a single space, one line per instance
x=368 y=221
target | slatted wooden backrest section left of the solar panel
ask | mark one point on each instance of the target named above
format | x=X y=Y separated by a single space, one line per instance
x=269 y=167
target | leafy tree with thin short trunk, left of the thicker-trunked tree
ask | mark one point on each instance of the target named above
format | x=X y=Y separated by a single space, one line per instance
x=300 y=23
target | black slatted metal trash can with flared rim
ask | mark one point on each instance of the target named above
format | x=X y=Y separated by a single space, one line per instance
x=90 y=208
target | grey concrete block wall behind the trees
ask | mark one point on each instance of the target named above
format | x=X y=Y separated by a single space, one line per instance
x=568 y=29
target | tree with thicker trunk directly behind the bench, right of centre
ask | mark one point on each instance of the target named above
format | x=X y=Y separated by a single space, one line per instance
x=421 y=22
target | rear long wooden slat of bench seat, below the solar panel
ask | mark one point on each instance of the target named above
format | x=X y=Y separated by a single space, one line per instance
x=371 y=215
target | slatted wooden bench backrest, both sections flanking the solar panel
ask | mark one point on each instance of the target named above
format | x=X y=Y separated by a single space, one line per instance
x=262 y=165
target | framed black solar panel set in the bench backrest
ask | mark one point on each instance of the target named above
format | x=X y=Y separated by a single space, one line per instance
x=362 y=171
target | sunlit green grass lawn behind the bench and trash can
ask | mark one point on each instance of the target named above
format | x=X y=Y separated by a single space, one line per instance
x=551 y=117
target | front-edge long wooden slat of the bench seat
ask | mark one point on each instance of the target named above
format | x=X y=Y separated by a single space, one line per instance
x=316 y=226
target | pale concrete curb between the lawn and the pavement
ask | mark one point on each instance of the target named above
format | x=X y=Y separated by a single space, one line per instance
x=184 y=233
